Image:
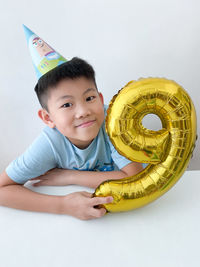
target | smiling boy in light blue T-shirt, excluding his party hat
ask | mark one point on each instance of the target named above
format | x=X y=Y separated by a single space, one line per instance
x=69 y=150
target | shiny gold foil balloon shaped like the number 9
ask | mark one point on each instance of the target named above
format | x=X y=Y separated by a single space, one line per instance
x=166 y=151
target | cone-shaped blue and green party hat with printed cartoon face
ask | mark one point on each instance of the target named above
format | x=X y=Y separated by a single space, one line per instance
x=44 y=57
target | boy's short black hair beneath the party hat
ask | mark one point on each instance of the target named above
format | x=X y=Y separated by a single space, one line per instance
x=72 y=69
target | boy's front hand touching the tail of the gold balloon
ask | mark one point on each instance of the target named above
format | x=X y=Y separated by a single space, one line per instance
x=82 y=206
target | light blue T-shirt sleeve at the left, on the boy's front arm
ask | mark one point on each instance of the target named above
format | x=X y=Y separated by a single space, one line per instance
x=35 y=161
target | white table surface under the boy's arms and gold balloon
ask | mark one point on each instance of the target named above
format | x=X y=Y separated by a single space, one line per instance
x=163 y=233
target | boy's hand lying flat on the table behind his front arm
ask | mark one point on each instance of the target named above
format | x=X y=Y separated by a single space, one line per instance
x=54 y=177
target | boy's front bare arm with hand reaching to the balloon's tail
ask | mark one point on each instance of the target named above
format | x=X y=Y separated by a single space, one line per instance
x=79 y=204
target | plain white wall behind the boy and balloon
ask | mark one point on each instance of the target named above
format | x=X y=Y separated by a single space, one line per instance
x=123 y=40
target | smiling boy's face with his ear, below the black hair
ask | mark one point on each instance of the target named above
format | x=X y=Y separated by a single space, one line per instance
x=76 y=110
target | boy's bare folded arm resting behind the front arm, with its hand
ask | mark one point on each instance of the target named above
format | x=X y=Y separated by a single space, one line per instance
x=86 y=178
